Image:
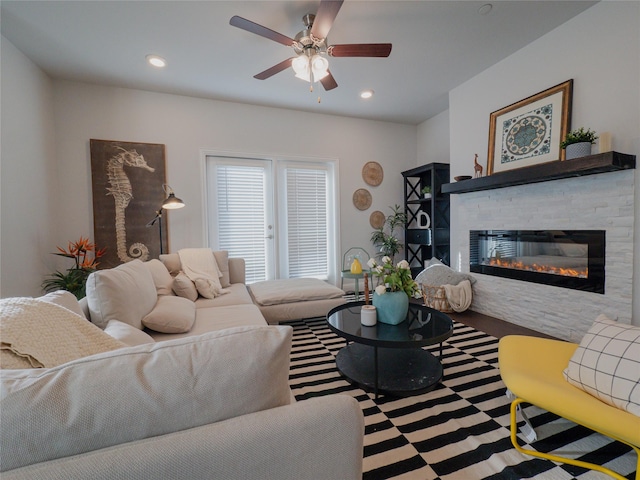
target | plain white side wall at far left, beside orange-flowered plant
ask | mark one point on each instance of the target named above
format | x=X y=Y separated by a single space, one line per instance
x=28 y=185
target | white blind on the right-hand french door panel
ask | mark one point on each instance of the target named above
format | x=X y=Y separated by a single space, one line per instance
x=307 y=222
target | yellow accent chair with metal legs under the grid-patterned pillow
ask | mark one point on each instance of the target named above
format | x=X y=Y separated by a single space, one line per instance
x=532 y=367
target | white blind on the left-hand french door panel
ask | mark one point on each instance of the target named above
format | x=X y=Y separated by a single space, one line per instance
x=240 y=215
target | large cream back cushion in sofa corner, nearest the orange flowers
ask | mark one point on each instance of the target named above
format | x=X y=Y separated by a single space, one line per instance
x=125 y=293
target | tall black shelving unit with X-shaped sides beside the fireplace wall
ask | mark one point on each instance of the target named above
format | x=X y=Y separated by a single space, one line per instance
x=427 y=231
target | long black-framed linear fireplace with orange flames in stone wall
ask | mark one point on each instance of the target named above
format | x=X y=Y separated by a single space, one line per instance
x=563 y=258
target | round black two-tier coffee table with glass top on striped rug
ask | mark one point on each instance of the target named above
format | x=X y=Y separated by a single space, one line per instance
x=388 y=359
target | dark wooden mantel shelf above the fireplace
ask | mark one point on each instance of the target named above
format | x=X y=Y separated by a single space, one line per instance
x=576 y=167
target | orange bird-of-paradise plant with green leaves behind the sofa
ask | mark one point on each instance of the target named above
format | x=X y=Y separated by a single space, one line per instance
x=74 y=279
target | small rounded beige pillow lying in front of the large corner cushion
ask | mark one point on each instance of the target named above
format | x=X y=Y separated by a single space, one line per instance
x=171 y=315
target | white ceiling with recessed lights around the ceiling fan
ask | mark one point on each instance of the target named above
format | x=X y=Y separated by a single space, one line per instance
x=437 y=45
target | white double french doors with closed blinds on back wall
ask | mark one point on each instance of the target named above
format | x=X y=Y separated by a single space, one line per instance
x=279 y=215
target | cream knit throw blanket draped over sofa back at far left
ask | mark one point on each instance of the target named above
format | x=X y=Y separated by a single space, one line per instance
x=39 y=334
